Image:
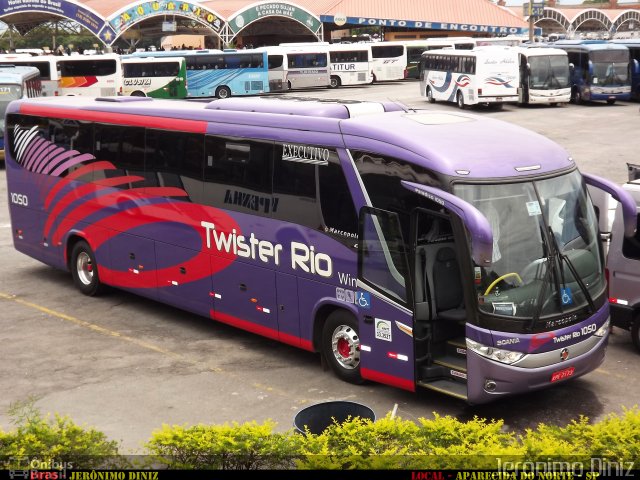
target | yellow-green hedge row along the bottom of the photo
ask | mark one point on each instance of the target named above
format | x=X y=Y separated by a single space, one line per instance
x=388 y=443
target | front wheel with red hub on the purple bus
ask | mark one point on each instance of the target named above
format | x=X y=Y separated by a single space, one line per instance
x=341 y=346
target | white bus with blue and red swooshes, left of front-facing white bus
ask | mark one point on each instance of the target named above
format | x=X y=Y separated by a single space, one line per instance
x=484 y=75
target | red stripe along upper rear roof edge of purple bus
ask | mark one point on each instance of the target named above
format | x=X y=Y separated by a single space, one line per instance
x=192 y=126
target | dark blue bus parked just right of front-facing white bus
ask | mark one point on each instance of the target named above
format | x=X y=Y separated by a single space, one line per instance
x=599 y=70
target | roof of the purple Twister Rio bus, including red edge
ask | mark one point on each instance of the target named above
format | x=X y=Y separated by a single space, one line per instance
x=492 y=148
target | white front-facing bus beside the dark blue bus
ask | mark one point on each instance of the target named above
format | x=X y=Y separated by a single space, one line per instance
x=544 y=76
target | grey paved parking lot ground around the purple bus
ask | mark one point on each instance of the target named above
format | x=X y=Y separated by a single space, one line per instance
x=126 y=365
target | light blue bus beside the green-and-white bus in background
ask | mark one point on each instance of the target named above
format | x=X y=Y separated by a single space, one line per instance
x=222 y=74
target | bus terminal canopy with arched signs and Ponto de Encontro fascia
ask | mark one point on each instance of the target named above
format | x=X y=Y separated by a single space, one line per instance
x=108 y=20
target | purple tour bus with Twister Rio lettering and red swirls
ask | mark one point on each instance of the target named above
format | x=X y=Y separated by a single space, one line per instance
x=418 y=249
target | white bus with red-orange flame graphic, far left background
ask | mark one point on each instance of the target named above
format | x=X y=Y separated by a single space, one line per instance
x=92 y=76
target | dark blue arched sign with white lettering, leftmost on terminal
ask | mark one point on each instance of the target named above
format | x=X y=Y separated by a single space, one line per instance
x=70 y=10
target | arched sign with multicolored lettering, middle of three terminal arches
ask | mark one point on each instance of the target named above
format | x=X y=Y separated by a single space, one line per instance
x=121 y=22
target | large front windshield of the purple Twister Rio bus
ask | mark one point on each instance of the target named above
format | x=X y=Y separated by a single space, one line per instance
x=546 y=261
